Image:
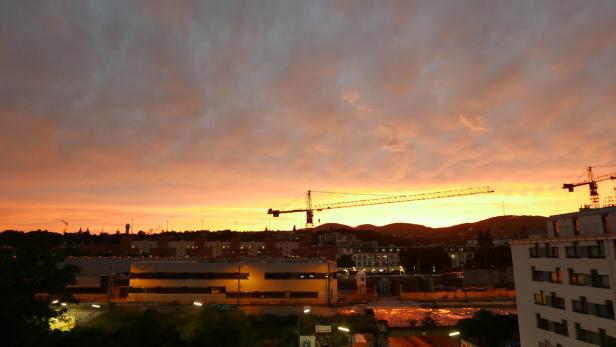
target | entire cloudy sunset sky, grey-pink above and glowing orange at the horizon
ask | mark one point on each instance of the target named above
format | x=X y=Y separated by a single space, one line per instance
x=156 y=111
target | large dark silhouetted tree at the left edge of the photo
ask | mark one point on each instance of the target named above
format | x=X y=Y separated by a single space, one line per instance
x=30 y=278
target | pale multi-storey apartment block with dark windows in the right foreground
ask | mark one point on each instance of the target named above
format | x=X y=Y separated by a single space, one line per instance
x=565 y=282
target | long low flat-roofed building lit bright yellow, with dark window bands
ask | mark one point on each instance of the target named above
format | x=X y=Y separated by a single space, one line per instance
x=274 y=281
